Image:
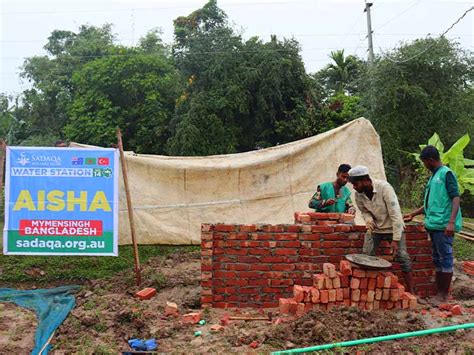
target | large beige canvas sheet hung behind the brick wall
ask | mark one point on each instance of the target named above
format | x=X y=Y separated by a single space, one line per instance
x=172 y=196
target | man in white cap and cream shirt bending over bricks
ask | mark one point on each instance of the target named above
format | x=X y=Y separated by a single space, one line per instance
x=380 y=209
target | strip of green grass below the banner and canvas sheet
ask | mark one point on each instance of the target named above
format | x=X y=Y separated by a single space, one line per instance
x=80 y=268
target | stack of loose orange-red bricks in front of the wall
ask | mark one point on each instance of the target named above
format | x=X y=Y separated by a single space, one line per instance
x=351 y=287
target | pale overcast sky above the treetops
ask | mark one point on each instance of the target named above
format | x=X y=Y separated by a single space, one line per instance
x=319 y=25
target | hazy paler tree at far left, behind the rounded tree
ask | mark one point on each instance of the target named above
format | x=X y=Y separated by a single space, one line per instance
x=47 y=102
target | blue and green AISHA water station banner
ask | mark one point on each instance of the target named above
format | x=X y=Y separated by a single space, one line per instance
x=61 y=201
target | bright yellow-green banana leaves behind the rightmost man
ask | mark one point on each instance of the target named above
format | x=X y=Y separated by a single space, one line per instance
x=454 y=158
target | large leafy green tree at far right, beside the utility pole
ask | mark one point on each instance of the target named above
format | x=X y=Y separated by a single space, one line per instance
x=410 y=92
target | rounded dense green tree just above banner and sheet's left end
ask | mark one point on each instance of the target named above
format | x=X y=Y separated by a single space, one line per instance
x=135 y=91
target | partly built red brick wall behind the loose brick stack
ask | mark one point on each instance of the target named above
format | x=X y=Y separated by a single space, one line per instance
x=255 y=265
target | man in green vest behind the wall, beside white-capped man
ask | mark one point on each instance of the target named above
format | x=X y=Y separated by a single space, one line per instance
x=334 y=196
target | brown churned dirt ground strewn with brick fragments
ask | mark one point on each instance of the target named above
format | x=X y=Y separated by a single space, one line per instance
x=107 y=315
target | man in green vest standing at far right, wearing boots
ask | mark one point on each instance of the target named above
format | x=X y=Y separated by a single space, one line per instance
x=442 y=217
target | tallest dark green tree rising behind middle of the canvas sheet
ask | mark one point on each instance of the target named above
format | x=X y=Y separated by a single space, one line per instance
x=255 y=94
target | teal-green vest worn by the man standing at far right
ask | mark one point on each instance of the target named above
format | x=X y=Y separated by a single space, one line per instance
x=438 y=204
